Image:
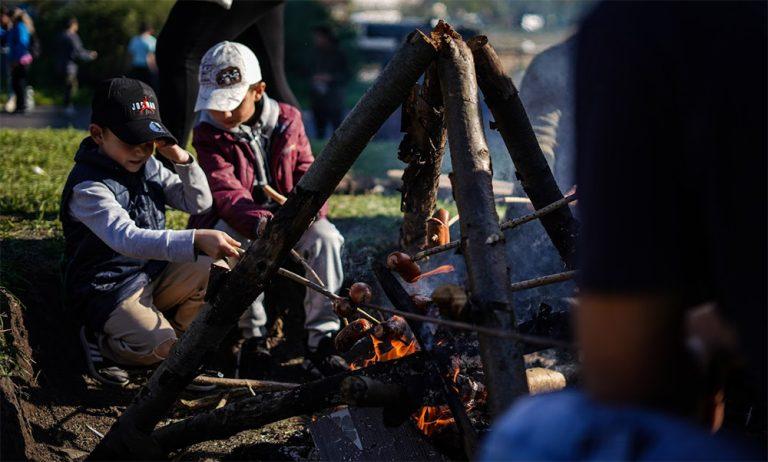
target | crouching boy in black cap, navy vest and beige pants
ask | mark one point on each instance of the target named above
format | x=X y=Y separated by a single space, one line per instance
x=116 y=266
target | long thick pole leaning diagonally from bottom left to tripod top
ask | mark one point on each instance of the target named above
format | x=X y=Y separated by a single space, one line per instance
x=238 y=288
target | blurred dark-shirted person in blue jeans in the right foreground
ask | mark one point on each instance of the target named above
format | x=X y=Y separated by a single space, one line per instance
x=671 y=143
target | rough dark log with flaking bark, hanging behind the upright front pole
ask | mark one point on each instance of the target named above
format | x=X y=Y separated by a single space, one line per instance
x=422 y=148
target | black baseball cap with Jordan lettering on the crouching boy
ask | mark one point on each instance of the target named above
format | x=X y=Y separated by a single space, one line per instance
x=129 y=108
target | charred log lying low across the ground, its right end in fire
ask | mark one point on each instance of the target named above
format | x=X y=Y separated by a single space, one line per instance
x=408 y=375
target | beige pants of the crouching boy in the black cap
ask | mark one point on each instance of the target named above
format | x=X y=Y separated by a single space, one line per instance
x=156 y=314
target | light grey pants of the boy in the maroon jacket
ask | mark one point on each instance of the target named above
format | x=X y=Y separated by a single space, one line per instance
x=321 y=247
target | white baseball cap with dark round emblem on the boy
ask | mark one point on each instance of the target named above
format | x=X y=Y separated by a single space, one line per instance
x=227 y=70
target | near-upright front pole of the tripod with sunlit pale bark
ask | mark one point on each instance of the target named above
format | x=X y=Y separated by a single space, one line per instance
x=481 y=237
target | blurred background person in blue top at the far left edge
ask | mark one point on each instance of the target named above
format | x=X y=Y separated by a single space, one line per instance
x=20 y=47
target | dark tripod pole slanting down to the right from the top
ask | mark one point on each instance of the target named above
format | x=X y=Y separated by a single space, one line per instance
x=531 y=166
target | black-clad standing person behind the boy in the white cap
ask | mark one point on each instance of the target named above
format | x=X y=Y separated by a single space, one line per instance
x=194 y=27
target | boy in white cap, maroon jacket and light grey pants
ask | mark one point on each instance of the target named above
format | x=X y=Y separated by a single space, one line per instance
x=246 y=141
